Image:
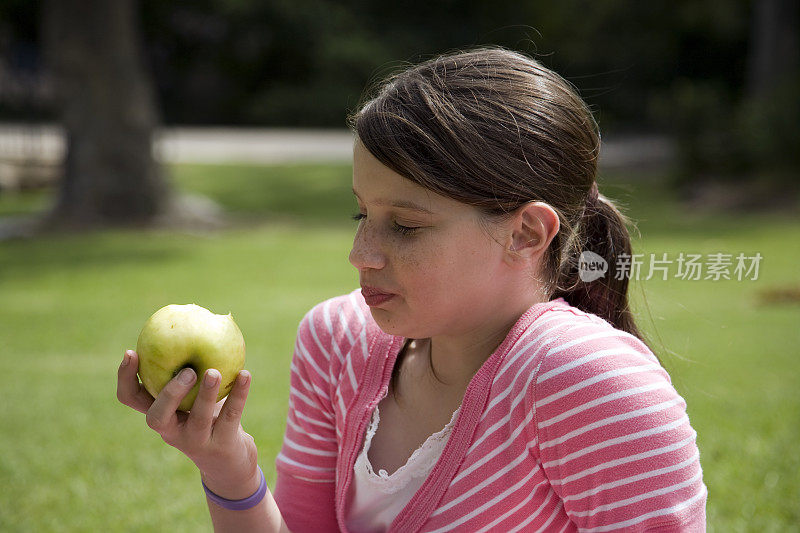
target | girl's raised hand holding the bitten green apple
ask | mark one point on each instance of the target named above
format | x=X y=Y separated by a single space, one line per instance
x=210 y=434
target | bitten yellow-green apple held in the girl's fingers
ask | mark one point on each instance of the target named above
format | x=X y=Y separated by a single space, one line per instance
x=181 y=336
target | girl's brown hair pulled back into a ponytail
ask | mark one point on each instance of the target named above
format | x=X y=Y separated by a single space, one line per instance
x=496 y=129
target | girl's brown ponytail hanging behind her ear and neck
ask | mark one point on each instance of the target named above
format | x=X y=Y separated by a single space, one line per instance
x=603 y=231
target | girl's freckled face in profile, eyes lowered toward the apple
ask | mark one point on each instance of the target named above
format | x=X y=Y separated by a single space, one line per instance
x=428 y=252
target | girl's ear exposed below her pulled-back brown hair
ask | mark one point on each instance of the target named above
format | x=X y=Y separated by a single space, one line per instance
x=532 y=228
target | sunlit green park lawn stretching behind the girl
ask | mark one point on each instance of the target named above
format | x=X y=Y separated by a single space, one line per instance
x=73 y=459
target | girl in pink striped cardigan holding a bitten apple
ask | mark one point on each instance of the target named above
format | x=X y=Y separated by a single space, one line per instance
x=476 y=381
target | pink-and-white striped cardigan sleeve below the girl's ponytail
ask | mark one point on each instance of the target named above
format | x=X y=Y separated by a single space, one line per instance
x=609 y=428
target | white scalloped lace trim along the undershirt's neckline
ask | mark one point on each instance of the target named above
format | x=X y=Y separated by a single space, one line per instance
x=419 y=464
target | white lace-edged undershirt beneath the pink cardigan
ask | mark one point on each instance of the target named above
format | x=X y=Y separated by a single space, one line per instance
x=378 y=498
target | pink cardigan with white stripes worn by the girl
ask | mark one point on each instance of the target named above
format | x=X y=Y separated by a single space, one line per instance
x=569 y=425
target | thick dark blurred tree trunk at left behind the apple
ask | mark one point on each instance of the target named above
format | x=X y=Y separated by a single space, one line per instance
x=105 y=99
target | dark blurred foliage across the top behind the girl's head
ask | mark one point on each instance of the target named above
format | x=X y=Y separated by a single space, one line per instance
x=679 y=67
